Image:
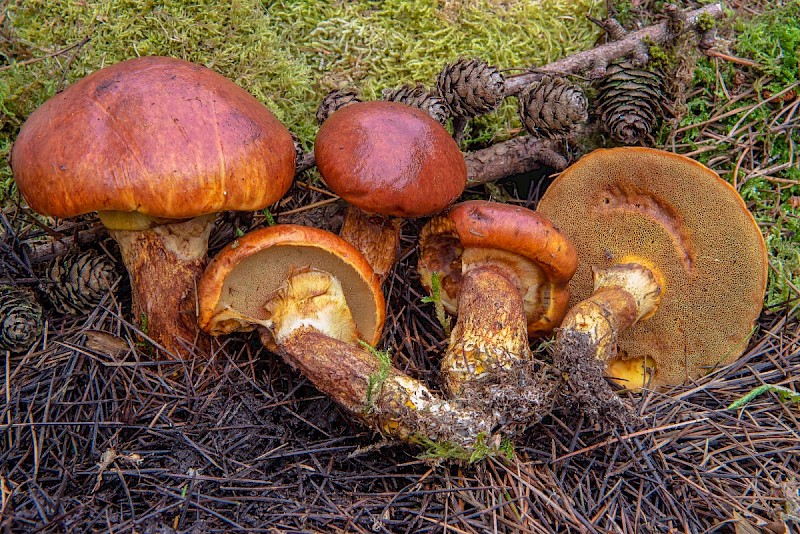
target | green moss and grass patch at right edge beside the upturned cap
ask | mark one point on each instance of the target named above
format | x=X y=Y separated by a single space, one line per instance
x=773 y=41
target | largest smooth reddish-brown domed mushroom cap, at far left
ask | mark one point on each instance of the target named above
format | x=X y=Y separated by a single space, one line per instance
x=154 y=135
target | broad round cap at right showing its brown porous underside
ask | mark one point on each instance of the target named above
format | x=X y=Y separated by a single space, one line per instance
x=682 y=220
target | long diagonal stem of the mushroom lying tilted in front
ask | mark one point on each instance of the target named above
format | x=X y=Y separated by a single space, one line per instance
x=311 y=327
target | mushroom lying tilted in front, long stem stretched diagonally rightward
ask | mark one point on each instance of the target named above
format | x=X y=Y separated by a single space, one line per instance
x=316 y=302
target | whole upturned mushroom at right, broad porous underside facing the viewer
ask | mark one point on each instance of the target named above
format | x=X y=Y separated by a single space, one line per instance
x=673 y=267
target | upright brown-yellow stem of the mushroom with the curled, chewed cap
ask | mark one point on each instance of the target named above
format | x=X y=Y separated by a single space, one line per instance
x=491 y=330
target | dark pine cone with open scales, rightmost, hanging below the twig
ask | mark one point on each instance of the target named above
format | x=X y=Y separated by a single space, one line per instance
x=630 y=102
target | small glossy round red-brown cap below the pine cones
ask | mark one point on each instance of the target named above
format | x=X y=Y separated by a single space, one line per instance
x=390 y=158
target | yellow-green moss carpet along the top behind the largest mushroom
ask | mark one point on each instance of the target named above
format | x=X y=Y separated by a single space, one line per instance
x=287 y=53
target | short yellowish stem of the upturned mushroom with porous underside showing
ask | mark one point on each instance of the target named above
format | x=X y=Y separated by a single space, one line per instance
x=623 y=294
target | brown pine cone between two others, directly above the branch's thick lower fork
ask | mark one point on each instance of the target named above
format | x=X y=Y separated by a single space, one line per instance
x=552 y=107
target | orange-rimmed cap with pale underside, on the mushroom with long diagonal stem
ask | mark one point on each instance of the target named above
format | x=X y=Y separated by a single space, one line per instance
x=245 y=274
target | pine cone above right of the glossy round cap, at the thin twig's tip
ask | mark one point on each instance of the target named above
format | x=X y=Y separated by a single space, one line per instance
x=471 y=87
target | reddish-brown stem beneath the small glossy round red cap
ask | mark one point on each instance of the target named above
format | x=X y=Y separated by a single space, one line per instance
x=376 y=236
